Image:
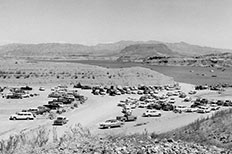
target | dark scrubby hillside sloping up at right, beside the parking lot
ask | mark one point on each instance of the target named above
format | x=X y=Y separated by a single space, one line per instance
x=215 y=130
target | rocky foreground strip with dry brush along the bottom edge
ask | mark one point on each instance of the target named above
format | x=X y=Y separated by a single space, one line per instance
x=79 y=140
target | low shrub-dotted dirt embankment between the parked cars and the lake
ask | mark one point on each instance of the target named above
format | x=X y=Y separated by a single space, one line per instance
x=43 y=73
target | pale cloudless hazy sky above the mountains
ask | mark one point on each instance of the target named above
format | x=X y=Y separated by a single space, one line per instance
x=203 y=22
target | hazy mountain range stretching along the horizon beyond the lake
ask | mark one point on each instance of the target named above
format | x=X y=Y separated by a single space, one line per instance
x=66 y=50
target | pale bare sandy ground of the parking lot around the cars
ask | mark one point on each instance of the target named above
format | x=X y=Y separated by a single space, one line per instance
x=98 y=109
